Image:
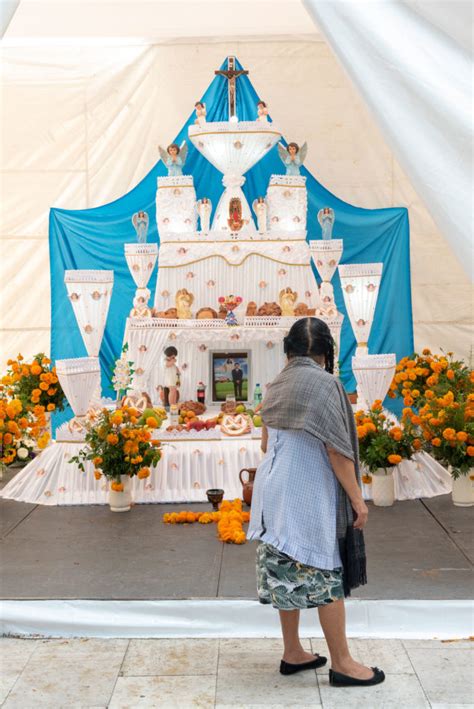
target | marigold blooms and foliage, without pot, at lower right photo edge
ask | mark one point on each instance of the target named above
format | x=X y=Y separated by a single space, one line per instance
x=447 y=424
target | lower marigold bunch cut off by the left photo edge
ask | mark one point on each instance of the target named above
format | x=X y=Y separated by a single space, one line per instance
x=19 y=429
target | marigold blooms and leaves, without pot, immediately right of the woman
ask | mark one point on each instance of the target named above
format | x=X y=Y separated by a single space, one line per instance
x=383 y=444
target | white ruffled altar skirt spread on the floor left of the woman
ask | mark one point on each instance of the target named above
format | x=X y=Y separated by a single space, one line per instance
x=185 y=472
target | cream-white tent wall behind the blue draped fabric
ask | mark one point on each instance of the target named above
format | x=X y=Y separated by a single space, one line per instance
x=81 y=125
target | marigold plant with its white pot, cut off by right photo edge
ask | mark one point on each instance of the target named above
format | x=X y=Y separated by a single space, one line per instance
x=448 y=428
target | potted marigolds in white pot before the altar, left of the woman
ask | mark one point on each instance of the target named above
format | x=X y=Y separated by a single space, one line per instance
x=120 y=448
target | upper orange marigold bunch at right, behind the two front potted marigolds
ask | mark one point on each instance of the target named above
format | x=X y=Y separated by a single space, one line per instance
x=419 y=378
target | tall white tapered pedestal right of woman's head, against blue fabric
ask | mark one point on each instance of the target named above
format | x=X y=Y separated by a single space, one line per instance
x=360 y=286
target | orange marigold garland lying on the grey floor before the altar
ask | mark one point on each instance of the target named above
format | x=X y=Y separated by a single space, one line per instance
x=229 y=519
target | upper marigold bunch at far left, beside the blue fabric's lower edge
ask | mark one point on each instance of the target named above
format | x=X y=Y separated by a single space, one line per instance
x=34 y=383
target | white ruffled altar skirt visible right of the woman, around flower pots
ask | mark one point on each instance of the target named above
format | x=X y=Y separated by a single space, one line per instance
x=422 y=476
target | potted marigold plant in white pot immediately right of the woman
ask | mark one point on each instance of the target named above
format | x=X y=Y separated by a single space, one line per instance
x=382 y=446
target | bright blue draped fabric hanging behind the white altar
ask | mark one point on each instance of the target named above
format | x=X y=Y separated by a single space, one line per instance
x=95 y=238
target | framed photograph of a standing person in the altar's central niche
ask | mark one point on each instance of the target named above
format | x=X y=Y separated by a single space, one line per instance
x=230 y=375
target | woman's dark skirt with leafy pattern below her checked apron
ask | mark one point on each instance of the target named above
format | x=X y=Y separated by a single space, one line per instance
x=289 y=585
